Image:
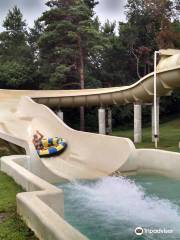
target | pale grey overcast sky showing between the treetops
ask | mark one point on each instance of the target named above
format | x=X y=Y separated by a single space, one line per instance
x=32 y=9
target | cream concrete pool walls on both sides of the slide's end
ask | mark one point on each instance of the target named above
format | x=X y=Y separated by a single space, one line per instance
x=42 y=206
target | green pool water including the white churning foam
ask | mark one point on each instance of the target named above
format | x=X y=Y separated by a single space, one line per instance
x=111 y=208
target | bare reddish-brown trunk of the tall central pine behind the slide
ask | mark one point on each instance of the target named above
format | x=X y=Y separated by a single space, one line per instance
x=81 y=74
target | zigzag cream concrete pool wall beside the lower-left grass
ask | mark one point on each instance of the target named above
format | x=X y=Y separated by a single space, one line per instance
x=42 y=206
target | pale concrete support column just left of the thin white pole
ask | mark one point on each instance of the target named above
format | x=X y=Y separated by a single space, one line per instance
x=137 y=123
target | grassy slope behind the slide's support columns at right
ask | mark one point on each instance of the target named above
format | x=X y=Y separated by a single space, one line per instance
x=169 y=136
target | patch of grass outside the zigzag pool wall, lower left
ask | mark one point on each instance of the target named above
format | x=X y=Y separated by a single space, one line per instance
x=11 y=226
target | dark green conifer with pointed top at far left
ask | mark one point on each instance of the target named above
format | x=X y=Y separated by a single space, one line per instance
x=16 y=60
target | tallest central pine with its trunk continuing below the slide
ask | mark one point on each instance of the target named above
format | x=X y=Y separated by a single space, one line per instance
x=69 y=39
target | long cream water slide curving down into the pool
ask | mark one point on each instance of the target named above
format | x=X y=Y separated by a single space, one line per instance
x=88 y=155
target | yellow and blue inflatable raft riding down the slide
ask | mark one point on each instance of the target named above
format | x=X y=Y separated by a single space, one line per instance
x=52 y=147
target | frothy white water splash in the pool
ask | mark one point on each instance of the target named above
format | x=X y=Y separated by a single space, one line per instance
x=120 y=199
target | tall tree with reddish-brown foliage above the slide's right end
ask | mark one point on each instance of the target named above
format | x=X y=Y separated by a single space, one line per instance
x=148 y=30
